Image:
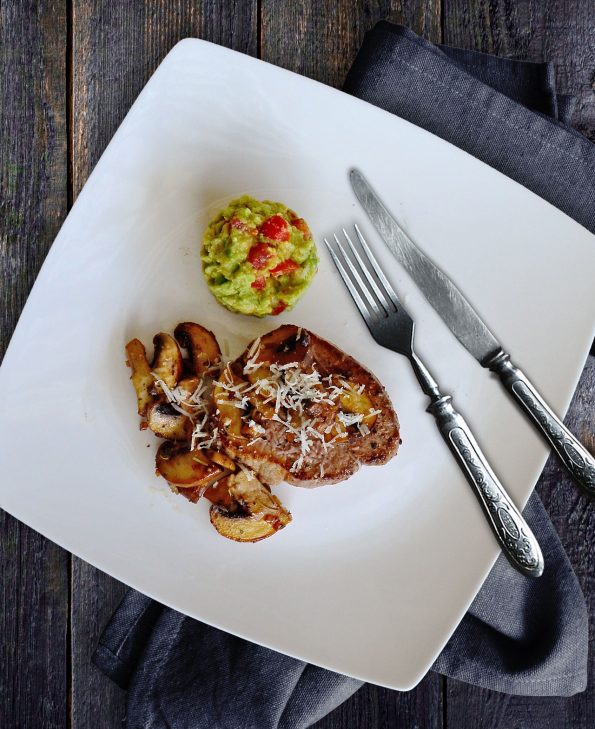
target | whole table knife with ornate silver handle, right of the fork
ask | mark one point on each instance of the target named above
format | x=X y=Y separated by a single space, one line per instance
x=467 y=326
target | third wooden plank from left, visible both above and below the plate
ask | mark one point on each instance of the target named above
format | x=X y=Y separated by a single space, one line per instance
x=320 y=40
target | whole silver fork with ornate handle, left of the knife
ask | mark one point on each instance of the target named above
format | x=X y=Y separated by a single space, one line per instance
x=393 y=328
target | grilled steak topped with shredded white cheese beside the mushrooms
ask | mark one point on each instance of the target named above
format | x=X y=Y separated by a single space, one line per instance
x=295 y=408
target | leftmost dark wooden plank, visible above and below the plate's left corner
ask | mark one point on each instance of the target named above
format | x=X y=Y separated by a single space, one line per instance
x=34 y=583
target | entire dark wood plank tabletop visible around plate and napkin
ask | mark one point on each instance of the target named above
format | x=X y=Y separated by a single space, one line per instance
x=69 y=70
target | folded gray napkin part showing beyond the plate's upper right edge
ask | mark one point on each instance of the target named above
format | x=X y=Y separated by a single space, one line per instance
x=486 y=106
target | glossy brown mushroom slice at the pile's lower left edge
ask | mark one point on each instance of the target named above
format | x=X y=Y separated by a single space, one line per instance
x=185 y=468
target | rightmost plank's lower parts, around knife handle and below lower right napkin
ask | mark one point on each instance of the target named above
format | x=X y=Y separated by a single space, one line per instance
x=572 y=513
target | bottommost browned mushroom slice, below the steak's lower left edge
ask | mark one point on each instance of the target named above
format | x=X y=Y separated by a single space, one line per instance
x=255 y=514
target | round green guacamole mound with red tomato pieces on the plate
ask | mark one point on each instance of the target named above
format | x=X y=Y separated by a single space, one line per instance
x=258 y=257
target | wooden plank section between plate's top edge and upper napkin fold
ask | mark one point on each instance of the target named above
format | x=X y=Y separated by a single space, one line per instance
x=320 y=39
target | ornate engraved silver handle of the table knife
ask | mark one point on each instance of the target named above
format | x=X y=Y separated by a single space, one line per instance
x=577 y=459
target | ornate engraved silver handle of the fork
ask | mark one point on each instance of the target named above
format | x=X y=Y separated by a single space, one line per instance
x=510 y=528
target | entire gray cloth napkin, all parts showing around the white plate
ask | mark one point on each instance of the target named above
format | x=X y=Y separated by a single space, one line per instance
x=181 y=673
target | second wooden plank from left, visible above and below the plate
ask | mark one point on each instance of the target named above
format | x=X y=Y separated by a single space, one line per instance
x=116 y=48
